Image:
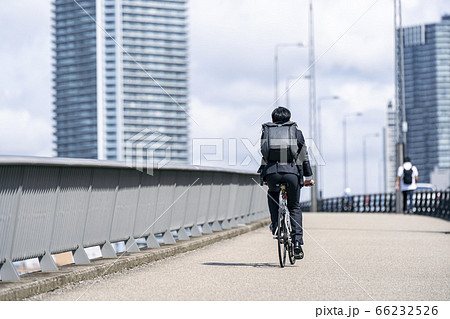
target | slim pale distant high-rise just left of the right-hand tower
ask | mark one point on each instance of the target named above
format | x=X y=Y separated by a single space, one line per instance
x=389 y=141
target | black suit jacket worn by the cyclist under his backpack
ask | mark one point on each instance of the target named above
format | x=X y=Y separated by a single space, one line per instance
x=300 y=168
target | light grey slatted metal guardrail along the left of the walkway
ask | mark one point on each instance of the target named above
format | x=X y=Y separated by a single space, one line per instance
x=50 y=206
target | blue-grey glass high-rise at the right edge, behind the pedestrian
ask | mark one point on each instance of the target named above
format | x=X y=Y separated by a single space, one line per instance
x=427 y=95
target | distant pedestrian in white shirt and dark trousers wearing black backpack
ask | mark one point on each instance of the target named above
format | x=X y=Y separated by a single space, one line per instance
x=407 y=177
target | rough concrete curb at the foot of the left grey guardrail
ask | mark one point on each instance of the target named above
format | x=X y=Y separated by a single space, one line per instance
x=41 y=282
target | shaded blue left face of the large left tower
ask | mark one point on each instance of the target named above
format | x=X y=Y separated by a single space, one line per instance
x=74 y=78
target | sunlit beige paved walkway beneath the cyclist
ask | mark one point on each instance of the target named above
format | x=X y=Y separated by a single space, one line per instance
x=347 y=257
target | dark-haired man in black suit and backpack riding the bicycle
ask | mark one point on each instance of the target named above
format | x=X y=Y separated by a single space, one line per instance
x=285 y=161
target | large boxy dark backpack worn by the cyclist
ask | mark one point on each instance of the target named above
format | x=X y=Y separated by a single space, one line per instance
x=280 y=142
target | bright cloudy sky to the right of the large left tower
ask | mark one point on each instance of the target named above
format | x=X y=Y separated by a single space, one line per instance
x=355 y=62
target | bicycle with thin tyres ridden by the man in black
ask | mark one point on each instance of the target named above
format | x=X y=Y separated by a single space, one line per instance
x=284 y=231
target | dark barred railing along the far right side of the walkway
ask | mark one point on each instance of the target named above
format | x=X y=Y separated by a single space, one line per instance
x=435 y=204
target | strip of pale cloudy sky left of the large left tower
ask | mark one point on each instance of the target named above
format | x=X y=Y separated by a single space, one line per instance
x=25 y=79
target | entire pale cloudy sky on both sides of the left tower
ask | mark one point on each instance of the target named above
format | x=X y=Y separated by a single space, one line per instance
x=231 y=77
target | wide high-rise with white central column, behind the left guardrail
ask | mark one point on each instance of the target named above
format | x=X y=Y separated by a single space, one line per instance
x=120 y=69
